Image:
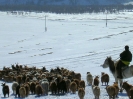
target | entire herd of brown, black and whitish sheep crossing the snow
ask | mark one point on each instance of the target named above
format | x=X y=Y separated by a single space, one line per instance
x=59 y=81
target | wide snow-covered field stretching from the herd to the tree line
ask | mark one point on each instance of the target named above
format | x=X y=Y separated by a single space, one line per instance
x=79 y=42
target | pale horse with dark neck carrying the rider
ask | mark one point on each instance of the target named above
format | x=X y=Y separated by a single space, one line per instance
x=126 y=72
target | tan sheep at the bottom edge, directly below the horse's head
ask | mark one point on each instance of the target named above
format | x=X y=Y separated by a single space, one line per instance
x=111 y=90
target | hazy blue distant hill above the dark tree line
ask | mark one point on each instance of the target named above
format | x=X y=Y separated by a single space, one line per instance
x=65 y=2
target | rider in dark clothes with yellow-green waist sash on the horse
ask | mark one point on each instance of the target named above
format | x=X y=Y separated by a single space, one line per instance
x=125 y=59
